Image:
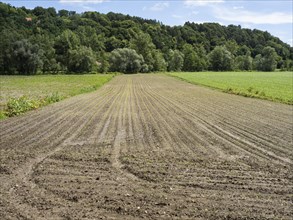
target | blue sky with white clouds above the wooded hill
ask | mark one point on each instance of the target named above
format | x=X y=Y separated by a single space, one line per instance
x=274 y=16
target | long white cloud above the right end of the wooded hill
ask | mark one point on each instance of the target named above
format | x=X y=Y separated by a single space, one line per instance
x=250 y=17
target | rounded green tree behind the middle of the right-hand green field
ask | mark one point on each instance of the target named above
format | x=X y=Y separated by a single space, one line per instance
x=221 y=59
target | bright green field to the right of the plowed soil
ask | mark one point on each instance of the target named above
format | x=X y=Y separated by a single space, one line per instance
x=274 y=86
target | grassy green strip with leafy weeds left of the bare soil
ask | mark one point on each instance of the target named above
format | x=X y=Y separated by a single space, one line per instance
x=19 y=94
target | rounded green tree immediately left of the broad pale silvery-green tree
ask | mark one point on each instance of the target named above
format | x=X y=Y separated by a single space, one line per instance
x=81 y=60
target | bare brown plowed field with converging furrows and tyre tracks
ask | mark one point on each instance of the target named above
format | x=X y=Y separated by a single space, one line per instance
x=149 y=146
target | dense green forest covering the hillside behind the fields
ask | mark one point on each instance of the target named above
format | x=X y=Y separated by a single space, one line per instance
x=46 y=41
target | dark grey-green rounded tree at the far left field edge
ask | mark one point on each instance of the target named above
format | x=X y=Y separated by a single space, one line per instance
x=27 y=57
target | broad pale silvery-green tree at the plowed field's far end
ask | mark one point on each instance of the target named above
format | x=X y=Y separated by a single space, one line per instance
x=125 y=60
